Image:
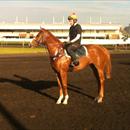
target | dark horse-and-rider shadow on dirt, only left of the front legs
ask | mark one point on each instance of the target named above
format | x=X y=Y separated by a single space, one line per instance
x=36 y=86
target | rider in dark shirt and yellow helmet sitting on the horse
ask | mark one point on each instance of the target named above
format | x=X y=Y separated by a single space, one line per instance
x=74 y=38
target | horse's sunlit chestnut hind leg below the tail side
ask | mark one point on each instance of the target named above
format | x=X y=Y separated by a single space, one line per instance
x=99 y=99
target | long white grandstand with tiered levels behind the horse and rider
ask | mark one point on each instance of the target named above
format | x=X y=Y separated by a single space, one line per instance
x=92 y=33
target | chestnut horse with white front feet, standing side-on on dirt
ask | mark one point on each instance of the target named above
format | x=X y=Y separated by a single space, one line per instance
x=97 y=55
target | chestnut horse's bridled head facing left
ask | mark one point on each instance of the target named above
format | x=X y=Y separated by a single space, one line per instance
x=39 y=39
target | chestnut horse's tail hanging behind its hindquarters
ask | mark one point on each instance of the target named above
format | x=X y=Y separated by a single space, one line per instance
x=108 y=66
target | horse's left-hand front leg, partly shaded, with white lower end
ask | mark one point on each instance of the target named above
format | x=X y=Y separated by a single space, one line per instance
x=60 y=89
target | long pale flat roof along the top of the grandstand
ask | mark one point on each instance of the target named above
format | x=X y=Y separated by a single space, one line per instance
x=36 y=26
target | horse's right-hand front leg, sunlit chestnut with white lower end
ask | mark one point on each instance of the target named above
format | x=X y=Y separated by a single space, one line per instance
x=63 y=77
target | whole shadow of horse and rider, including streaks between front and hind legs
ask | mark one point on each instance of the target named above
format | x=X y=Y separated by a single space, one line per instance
x=40 y=85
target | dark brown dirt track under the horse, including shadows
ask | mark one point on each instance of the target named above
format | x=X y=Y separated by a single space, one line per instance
x=28 y=92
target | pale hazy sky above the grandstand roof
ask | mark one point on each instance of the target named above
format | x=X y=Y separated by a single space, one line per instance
x=43 y=11
